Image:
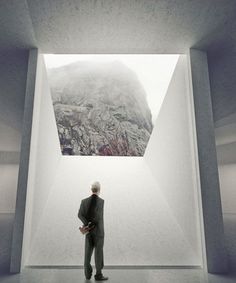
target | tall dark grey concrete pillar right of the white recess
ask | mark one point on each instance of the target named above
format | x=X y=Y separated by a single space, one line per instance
x=210 y=188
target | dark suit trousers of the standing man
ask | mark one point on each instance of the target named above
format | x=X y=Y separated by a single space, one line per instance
x=93 y=242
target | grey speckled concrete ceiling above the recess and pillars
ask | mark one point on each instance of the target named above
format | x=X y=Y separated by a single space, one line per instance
x=119 y=26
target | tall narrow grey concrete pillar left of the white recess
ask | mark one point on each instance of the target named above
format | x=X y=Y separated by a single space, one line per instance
x=18 y=227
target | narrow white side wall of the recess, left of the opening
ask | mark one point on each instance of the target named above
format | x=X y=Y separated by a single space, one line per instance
x=44 y=156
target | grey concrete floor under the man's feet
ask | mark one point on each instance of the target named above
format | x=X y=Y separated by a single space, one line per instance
x=36 y=275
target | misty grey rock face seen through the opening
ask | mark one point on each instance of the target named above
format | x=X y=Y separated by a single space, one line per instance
x=100 y=109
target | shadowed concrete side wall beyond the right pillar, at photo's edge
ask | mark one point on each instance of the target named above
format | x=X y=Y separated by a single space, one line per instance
x=222 y=69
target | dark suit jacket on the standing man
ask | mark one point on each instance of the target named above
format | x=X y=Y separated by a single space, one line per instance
x=84 y=214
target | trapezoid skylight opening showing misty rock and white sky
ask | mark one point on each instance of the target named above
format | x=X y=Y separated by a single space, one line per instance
x=107 y=104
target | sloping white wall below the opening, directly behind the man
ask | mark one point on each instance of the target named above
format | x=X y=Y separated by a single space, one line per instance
x=132 y=197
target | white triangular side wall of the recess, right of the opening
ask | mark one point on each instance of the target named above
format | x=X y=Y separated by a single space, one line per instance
x=170 y=154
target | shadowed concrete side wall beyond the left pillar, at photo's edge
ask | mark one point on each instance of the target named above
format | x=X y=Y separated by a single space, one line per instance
x=13 y=71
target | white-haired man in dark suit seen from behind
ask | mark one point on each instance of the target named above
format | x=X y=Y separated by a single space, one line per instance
x=91 y=213
